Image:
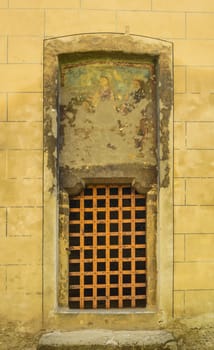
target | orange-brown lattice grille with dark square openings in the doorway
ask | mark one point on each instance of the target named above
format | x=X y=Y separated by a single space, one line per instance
x=107 y=238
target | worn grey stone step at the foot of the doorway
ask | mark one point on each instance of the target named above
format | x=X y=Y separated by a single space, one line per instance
x=107 y=339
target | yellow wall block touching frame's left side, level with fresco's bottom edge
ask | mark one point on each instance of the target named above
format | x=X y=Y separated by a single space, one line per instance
x=24 y=164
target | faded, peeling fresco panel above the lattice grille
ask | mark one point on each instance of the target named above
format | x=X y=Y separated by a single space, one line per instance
x=107 y=112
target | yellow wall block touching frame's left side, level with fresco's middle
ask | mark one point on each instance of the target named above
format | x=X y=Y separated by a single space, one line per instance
x=24 y=107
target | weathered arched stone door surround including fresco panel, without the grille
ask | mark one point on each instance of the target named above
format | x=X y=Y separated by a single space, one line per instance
x=145 y=122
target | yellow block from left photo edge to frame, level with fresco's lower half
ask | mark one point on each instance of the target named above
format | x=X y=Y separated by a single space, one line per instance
x=28 y=135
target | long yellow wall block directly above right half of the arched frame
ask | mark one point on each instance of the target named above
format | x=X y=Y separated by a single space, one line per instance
x=156 y=24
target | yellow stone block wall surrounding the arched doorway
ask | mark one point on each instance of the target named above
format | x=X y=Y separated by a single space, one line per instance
x=23 y=26
